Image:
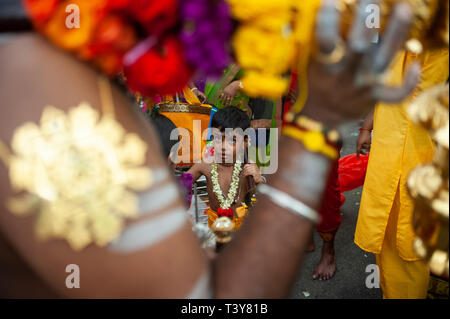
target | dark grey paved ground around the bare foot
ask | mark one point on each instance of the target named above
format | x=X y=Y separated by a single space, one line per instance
x=349 y=281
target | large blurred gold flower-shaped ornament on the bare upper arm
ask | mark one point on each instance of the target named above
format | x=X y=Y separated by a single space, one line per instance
x=79 y=171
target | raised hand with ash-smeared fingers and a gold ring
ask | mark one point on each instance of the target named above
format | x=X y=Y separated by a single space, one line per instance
x=344 y=81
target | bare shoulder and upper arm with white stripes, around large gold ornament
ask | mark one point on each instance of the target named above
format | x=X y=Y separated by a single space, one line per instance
x=35 y=75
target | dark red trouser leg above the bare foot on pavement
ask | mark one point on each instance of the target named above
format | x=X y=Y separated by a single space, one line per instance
x=331 y=204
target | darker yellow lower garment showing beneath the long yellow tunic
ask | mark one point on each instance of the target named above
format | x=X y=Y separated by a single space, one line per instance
x=400 y=279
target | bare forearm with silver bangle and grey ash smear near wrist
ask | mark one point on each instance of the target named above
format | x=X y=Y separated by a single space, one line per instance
x=246 y=267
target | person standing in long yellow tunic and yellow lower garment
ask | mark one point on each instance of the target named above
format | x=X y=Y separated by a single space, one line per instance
x=384 y=224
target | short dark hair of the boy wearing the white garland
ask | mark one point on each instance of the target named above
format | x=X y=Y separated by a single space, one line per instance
x=230 y=117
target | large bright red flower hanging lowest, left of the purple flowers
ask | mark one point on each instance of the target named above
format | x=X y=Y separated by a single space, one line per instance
x=158 y=69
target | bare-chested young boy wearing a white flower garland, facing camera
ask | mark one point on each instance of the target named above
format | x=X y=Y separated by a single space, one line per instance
x=226 y=176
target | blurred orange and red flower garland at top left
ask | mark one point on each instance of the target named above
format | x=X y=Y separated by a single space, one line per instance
x=111 y=29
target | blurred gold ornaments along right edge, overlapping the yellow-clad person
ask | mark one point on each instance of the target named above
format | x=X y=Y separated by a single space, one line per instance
x=429 y=184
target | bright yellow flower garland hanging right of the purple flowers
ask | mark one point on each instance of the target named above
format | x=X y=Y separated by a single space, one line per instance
x=264 y=45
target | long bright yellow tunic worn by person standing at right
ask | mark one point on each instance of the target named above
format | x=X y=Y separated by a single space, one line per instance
x=398 y=146
